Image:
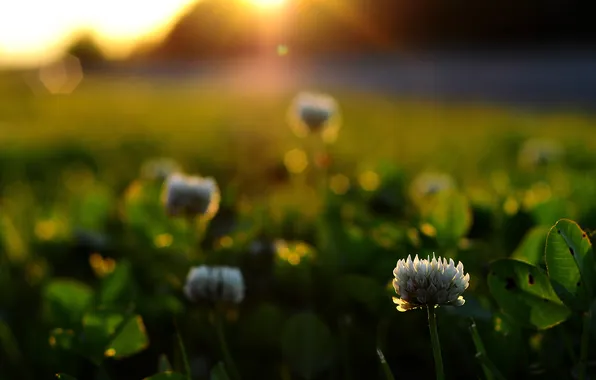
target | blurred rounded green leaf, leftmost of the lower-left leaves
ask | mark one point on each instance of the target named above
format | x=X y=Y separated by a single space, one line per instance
x=67 y=301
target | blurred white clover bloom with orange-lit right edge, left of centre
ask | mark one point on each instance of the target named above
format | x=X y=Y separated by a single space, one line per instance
x=191 y=196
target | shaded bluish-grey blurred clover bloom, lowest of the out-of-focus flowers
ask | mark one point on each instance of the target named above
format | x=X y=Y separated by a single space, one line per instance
x=213 y=284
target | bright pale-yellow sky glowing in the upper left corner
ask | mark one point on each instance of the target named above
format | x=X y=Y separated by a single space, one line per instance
x=34 y=31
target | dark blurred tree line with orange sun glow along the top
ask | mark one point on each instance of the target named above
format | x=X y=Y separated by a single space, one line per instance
x=226 y=28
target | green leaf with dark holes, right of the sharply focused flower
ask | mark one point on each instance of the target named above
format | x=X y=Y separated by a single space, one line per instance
x=525 y=294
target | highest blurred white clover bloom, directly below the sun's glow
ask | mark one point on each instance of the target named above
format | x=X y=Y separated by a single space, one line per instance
x=315 y=113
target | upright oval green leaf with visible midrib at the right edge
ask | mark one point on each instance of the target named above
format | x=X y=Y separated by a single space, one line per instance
x=570 y=264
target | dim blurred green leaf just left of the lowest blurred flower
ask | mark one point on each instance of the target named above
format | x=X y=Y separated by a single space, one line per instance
x=117 y=288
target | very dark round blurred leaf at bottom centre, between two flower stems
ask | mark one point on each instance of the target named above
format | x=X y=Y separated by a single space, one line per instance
x=307 y=344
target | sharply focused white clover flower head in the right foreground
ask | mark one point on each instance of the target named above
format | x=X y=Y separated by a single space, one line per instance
x=429 y=283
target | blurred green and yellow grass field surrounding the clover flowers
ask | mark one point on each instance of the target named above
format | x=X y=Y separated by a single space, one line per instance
x=92 y=270
